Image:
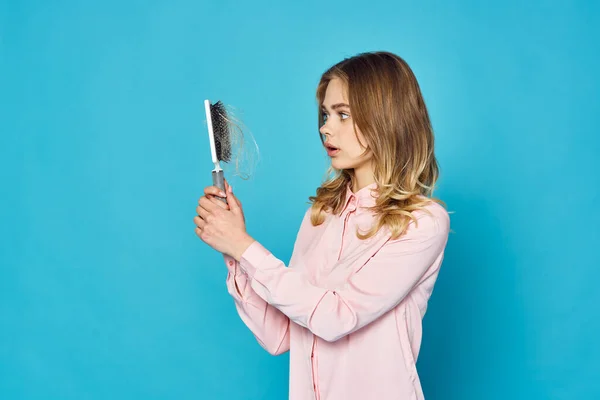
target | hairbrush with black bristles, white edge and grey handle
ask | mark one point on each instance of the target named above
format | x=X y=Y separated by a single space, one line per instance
x=219 y=134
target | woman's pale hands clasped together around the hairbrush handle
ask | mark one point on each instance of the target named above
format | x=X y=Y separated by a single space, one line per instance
x=222 y=226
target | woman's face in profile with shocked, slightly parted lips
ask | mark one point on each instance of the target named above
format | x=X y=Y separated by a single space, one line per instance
x=339 y=131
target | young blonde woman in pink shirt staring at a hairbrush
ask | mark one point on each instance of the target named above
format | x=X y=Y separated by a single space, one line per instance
x=349 y=306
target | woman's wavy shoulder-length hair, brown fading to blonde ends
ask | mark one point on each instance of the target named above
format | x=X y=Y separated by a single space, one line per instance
x=388 y=108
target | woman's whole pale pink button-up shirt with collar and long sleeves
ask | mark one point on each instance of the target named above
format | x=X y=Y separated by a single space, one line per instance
x=349 y=311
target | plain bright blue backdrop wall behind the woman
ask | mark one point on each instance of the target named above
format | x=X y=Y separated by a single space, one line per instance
x=105 y=290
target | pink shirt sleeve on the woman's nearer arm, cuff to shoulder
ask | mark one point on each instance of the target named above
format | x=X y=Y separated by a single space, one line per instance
x=375 y=288
